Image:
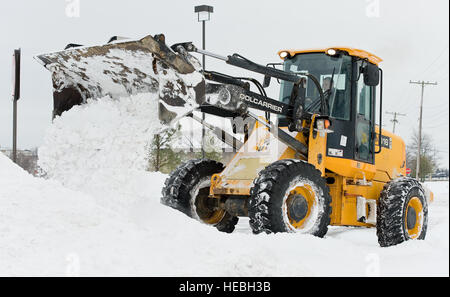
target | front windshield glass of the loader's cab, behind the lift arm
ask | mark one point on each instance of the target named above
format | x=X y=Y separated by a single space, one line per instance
x=334 y=75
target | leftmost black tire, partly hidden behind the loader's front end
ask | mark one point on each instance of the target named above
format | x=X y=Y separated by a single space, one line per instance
x=183 y=189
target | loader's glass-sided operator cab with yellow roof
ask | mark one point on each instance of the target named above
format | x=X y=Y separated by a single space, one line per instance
x=349 y=79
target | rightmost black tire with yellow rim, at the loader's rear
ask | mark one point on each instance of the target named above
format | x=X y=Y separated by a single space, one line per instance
x=393 y=208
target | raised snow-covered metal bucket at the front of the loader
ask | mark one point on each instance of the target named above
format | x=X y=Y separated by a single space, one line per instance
x=126 y=68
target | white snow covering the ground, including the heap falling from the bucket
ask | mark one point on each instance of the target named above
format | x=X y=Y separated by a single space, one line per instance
x=99 y=215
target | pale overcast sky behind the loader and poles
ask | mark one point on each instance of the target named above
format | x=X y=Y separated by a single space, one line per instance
x=410 y=36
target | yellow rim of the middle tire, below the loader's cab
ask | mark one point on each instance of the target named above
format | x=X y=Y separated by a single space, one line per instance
x=299 y=204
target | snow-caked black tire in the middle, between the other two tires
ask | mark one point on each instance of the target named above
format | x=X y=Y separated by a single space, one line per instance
x=269 y=195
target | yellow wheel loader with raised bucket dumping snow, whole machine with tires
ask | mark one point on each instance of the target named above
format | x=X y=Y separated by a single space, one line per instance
x=320 y=160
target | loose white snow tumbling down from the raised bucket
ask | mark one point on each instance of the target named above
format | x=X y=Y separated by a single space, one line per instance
x=101 y=147
